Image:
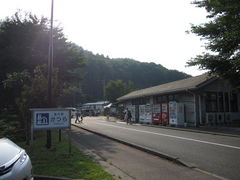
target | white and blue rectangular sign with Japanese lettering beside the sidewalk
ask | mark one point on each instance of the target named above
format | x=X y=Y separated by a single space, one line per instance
x=51 y=118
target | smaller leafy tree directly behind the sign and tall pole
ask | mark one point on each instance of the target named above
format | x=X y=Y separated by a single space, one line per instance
x=34 y=95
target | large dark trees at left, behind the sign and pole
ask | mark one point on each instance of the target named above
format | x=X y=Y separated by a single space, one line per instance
x=23 y=71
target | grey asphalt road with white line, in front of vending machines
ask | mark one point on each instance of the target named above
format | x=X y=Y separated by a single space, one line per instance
x=216 y=154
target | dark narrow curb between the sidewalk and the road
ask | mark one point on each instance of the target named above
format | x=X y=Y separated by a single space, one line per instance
x=141 y=148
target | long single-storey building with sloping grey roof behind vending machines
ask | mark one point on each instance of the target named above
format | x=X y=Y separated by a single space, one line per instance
x=206 y=100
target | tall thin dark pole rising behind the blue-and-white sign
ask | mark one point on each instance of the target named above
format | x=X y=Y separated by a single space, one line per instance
x=50 y=69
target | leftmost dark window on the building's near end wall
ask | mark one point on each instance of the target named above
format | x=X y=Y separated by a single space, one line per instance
x=211 y=102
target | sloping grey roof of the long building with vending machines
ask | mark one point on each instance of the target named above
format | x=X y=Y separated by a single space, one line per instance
x=175 y=86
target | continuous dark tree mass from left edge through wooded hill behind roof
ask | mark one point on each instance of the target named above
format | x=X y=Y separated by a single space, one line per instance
x=78 y=75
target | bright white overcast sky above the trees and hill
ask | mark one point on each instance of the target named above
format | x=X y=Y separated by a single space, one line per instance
x=144 y=30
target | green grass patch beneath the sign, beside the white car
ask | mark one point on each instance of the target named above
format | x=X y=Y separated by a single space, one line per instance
x=57 y=162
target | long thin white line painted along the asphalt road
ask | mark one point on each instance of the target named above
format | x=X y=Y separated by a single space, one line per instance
x=177 y=137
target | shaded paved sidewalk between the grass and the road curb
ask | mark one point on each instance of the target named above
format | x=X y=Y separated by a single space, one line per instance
x=128 y=163
